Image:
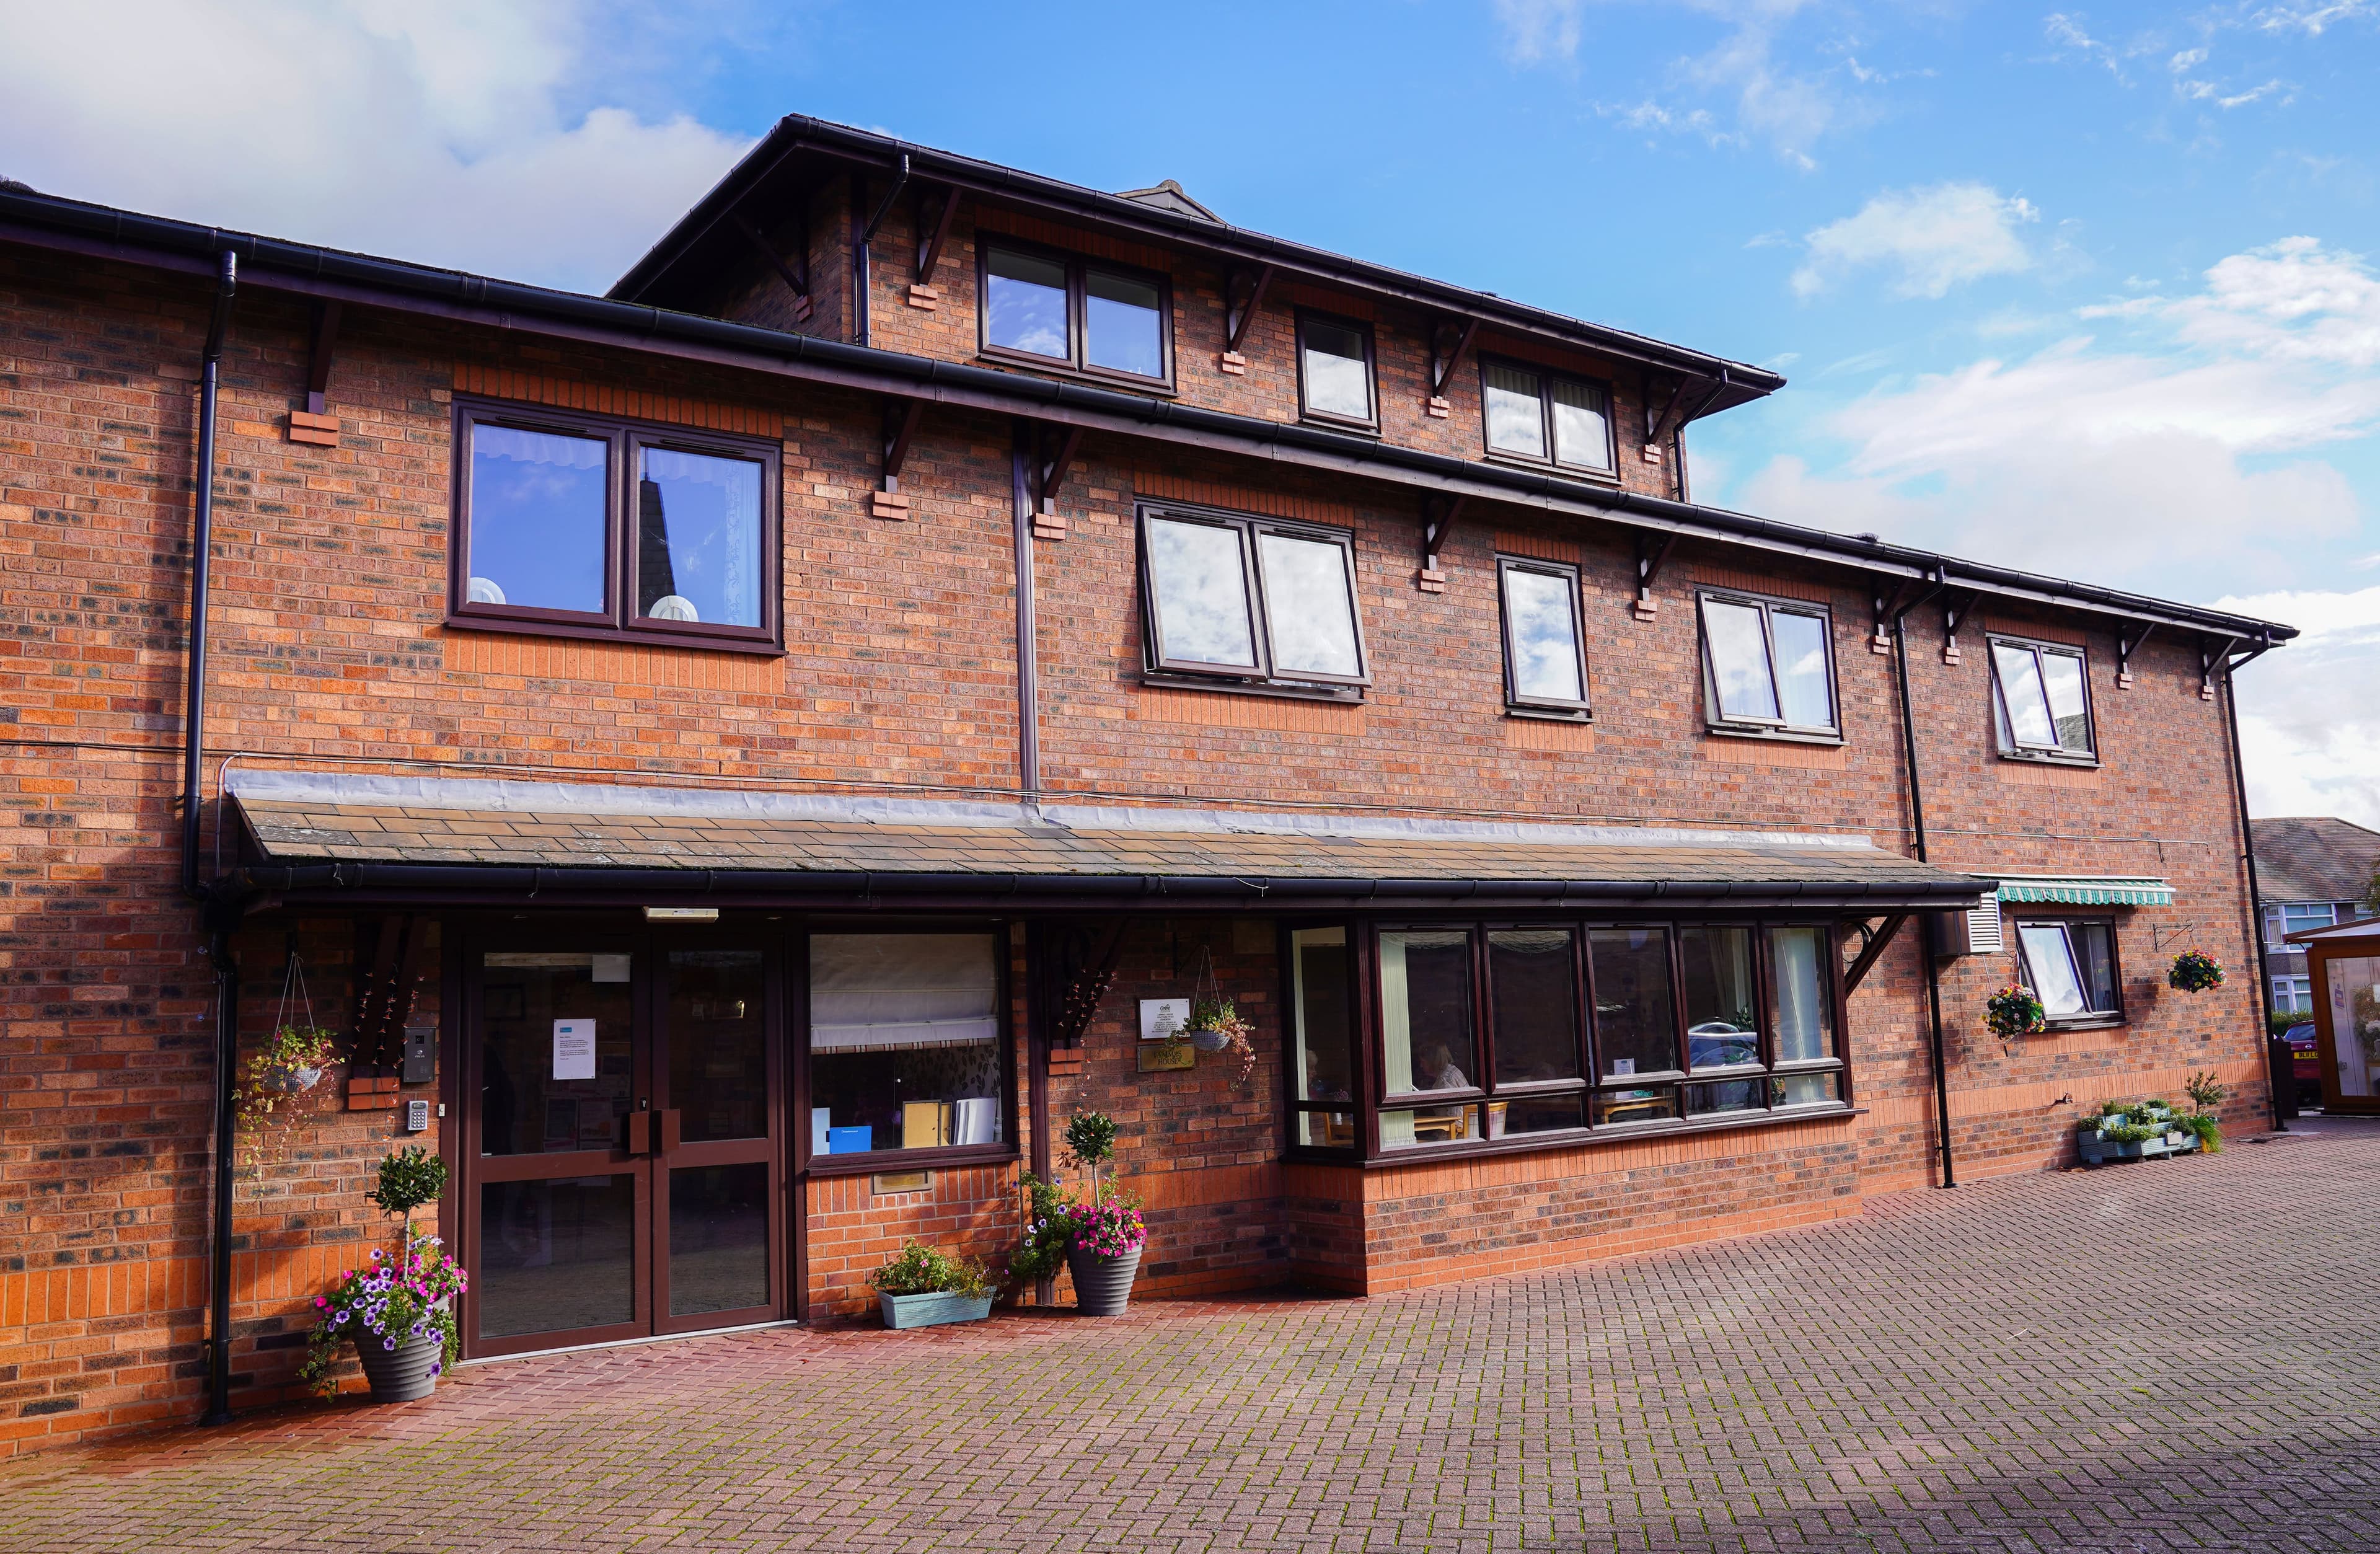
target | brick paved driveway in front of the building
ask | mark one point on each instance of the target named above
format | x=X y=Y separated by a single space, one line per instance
x=2150 y=1358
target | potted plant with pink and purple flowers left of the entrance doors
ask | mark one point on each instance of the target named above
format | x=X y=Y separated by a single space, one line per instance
x=396 y=1310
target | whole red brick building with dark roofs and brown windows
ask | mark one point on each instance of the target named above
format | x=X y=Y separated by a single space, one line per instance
x=751 y=751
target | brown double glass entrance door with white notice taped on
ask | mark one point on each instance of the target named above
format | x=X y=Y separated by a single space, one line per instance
x=625 y=1160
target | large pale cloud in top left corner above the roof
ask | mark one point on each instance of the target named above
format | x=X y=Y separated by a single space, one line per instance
x=463 y=134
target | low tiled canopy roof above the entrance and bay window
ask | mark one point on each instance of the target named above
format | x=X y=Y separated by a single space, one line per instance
x=565 y=841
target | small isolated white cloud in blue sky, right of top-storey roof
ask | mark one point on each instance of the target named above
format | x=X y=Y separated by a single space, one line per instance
x=1934 y=237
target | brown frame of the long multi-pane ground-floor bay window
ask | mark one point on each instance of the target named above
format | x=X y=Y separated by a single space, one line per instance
x=1670 y=1084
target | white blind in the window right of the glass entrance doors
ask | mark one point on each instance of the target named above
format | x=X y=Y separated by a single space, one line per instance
x=901 y=991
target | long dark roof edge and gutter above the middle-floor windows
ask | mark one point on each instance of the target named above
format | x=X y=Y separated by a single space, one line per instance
x=520 y=311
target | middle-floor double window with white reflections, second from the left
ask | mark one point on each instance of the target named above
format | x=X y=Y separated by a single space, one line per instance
x=1255 y=601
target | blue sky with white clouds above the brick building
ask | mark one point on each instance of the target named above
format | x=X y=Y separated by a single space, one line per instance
x=2088 y=292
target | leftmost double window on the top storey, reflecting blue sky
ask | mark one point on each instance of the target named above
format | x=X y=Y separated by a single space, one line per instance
x=1070 y=313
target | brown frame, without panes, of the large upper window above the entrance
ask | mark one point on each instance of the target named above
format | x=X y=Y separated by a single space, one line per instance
x=618 y=622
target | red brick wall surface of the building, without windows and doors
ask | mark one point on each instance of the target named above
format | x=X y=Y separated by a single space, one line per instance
x=330 y=648
